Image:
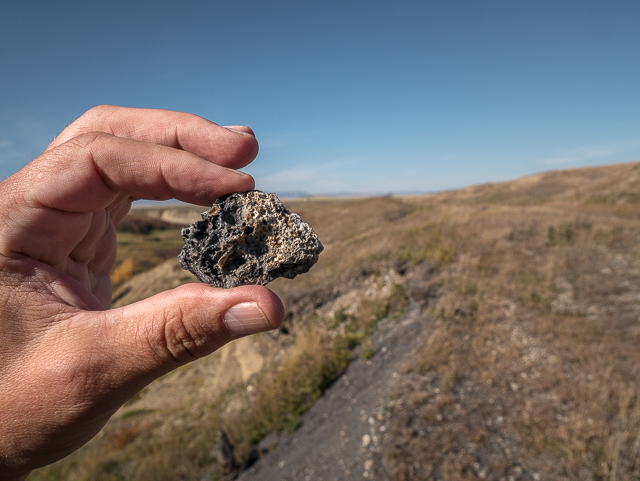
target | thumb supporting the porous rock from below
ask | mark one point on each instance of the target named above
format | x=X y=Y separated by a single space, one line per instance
x=154 y=336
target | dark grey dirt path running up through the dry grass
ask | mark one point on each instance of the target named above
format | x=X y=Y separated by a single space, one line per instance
x=337 y=439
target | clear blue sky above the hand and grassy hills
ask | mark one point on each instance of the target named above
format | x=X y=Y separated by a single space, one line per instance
x=352 y=96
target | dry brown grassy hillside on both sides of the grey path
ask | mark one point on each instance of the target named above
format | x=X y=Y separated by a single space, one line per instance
x=529 y=369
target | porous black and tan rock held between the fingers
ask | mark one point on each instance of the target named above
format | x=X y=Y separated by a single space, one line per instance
x=248 y=238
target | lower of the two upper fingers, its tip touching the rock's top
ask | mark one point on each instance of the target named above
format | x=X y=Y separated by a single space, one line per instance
x=90 y=171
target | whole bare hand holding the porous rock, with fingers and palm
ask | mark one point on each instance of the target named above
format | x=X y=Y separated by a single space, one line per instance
x=67 y=361
